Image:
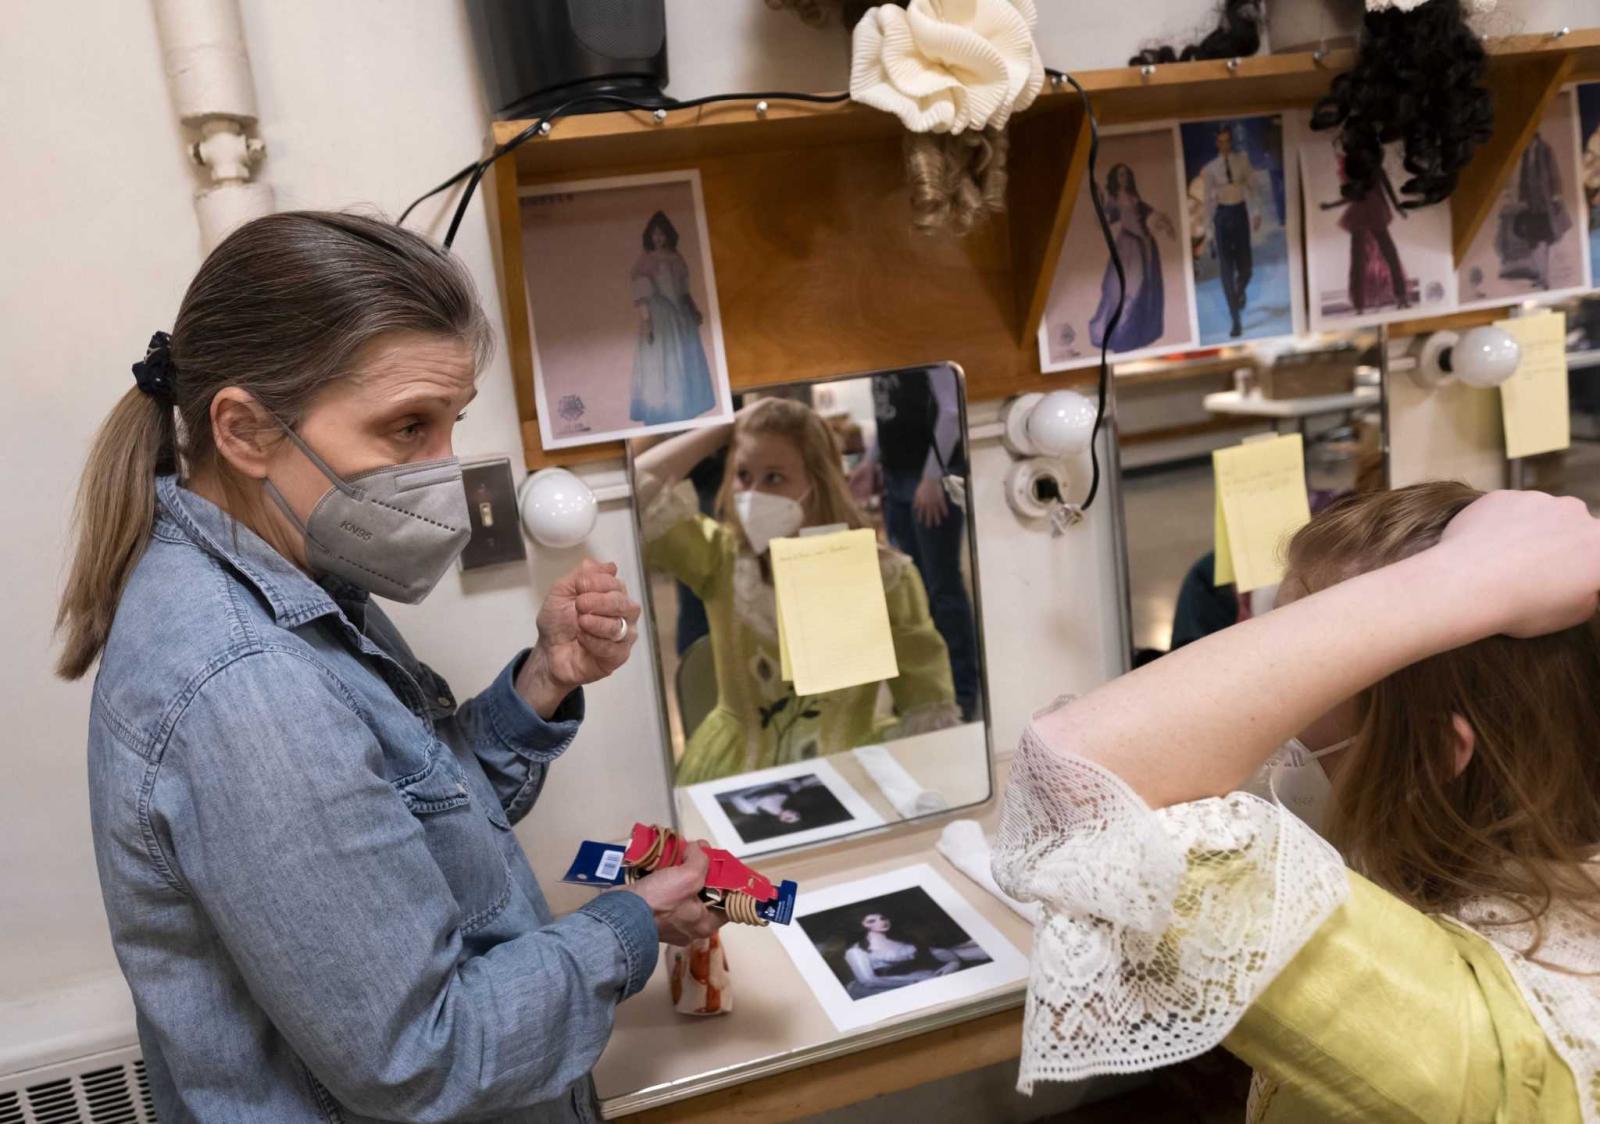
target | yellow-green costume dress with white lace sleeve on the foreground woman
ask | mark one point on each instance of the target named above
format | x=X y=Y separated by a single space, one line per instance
x=1231 y=923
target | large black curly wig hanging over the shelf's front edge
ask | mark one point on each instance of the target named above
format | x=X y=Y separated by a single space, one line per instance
x=1418 y=79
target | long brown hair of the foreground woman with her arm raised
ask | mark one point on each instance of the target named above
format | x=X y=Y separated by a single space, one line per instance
x=1522 y=817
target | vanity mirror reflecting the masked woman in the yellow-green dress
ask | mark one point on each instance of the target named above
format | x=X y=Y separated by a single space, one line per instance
x=857 y=699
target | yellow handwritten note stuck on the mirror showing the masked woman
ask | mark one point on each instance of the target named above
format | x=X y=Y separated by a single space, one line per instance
x=833 y=614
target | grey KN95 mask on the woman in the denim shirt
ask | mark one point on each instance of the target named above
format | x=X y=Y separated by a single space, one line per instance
x=393 y=531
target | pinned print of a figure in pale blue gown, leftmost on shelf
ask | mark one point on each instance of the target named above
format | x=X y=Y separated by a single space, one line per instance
x=623 y=305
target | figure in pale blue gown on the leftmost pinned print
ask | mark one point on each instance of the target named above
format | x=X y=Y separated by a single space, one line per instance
x=671 y=377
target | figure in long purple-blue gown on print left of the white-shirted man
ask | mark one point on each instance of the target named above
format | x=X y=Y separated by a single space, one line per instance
x=1134 y=225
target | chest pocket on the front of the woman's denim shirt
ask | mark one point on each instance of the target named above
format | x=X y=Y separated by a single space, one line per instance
x=462 y=838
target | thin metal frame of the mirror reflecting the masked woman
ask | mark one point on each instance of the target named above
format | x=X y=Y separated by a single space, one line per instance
x=647 y=600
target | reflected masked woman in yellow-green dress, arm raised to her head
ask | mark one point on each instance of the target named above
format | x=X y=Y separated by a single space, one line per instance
x=783 y=475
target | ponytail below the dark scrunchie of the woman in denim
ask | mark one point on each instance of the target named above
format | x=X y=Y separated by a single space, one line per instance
x=113 y=521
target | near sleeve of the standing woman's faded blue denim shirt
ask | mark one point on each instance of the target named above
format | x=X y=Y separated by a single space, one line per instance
x=273 y=809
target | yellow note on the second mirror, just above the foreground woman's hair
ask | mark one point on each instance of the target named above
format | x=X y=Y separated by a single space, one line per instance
x=1262 y=499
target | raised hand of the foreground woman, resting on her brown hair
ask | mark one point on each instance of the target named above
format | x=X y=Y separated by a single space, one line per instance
x=1530 y=561
